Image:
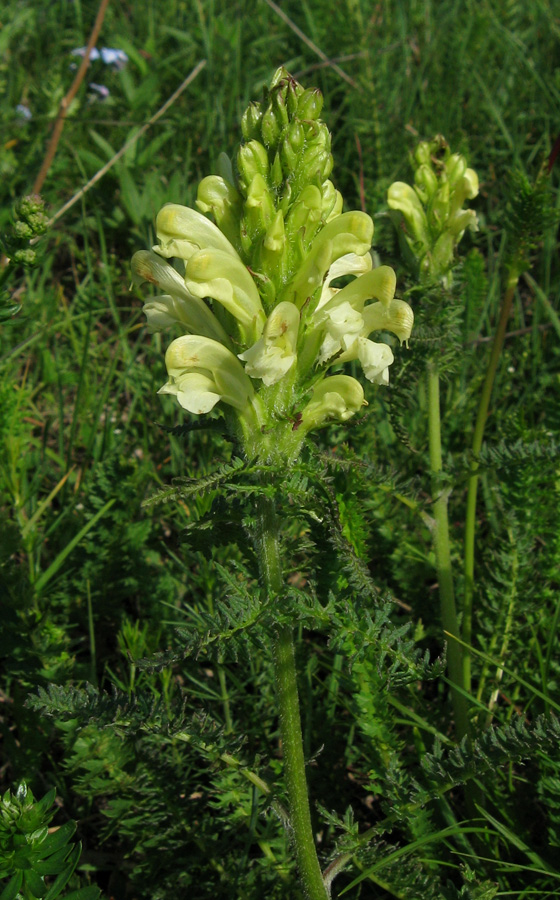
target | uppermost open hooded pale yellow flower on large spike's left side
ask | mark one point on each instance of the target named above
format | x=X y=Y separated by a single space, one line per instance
x=182 y=231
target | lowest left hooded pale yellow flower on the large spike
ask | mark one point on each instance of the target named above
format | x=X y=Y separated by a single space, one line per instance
x=202 y=372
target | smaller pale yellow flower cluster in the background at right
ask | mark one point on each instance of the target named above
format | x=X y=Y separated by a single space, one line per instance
x=430 y=216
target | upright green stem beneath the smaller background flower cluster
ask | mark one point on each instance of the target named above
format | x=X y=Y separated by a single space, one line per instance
x=443 y=556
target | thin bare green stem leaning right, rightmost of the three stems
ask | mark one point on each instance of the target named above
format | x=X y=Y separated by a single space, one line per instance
x=470 y=520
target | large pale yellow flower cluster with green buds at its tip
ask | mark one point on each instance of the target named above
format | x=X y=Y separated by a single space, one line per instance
x=257 y=292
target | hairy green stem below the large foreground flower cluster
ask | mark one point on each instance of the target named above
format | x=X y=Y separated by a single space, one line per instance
x=290 y=721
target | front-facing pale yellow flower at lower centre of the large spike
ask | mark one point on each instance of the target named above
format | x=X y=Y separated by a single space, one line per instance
x=274 y=353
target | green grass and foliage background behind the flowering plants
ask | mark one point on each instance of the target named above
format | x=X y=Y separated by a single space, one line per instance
x=91 y=581
